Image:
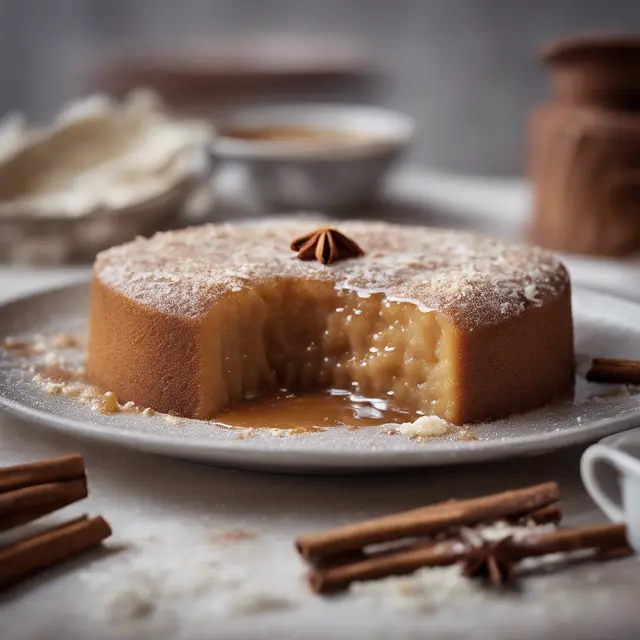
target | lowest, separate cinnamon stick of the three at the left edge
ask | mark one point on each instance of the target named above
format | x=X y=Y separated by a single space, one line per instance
x=40 y=551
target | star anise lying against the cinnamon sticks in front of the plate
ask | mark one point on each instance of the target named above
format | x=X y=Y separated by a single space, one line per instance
x=486 y=558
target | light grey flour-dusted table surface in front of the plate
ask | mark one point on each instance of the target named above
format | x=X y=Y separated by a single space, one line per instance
x=169 y=570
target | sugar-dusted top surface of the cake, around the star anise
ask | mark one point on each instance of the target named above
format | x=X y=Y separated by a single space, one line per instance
x=474 y=280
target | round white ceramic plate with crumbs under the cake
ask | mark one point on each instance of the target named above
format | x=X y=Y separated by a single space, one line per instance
x=605 y=326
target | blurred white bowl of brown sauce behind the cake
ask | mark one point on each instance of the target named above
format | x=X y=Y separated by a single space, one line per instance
x=337 y=173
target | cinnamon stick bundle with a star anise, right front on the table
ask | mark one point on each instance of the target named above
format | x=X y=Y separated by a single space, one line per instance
x=449 y=533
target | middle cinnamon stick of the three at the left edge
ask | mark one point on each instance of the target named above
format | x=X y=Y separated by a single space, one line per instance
x=42 y=498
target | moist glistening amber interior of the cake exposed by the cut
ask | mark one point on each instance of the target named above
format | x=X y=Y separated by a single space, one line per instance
x=305 y=335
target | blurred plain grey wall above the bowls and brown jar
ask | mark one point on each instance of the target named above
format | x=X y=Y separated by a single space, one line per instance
x=465 y=70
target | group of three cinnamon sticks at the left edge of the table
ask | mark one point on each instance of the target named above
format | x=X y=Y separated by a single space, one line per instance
x=30 y=491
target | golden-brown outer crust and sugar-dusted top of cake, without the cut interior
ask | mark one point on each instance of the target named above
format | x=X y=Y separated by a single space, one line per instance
x=507 y=308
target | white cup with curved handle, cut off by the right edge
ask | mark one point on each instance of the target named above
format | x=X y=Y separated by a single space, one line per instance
x=611 y=473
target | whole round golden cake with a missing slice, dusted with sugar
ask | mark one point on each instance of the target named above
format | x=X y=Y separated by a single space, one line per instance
x=446 y=323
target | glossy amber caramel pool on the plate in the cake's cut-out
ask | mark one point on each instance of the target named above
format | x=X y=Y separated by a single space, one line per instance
x=313 y=411
